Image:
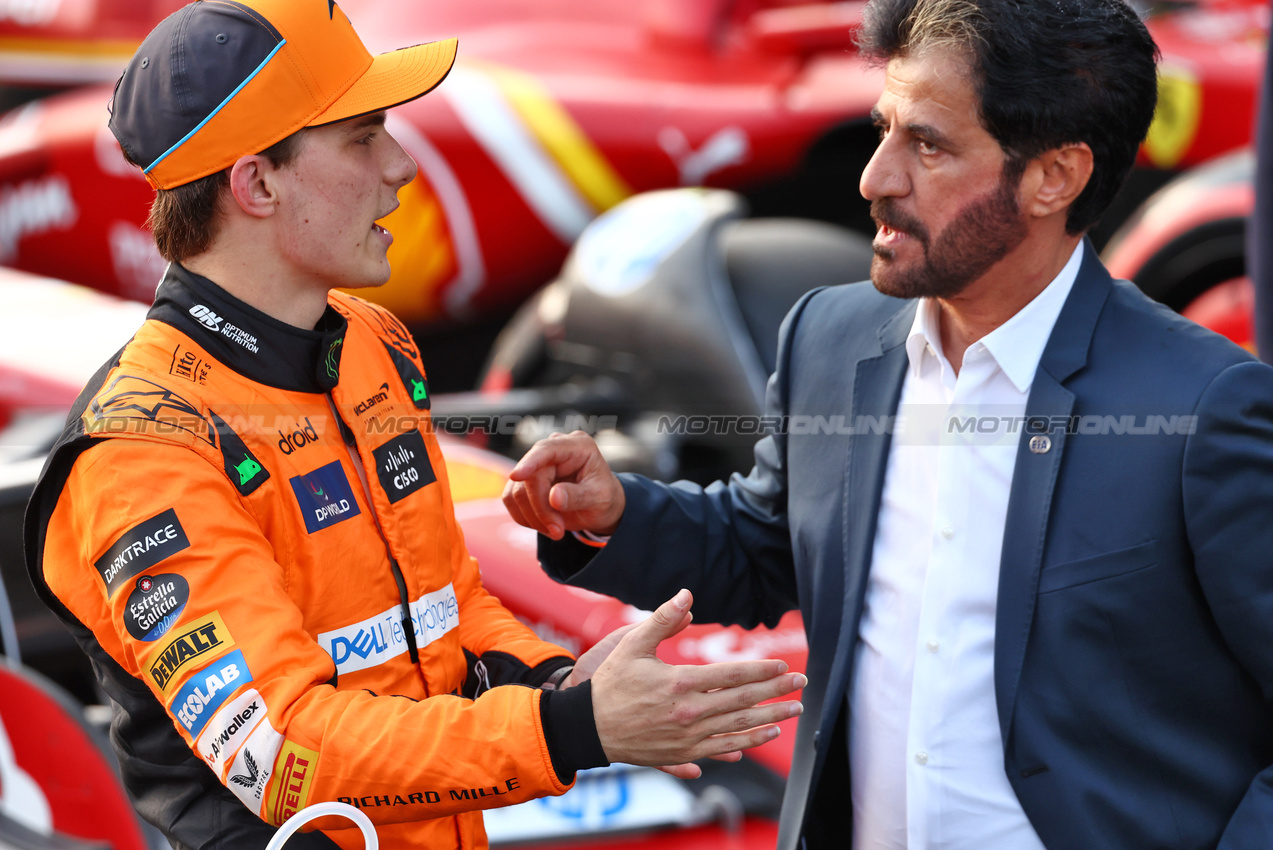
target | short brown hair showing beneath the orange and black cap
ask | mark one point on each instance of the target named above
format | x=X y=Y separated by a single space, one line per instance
x=184 y=219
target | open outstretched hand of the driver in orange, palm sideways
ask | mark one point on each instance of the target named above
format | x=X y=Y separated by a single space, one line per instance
x=650 y=713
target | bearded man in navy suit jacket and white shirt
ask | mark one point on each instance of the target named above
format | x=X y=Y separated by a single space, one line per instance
x=1034 y=563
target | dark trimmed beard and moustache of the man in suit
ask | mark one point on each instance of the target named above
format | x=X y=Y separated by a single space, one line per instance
x=981 y=236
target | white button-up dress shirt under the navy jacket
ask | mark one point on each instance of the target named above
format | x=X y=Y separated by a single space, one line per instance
x=925 y=746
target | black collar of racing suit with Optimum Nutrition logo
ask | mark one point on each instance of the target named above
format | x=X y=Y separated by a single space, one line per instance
x=249 y=342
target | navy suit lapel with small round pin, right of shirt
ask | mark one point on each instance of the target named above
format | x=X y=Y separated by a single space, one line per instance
x=1034 y=478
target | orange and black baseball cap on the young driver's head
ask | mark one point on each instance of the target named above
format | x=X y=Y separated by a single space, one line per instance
x=222 y=80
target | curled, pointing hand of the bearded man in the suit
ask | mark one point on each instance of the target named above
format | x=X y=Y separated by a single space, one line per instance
x=563 y=484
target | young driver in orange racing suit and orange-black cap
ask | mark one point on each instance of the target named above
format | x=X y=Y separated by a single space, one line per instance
x=248 y=522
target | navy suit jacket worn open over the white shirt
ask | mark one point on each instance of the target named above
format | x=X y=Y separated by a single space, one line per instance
x=1134 y=658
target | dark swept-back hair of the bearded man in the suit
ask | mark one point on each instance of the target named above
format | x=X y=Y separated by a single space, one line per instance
x=1047 y=73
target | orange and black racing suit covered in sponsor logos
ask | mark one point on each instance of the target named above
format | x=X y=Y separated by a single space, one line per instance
x=250 y=530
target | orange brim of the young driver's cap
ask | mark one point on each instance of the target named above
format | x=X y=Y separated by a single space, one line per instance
x=391 y=80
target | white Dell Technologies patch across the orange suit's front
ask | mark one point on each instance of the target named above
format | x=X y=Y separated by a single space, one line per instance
x=380 y=639
